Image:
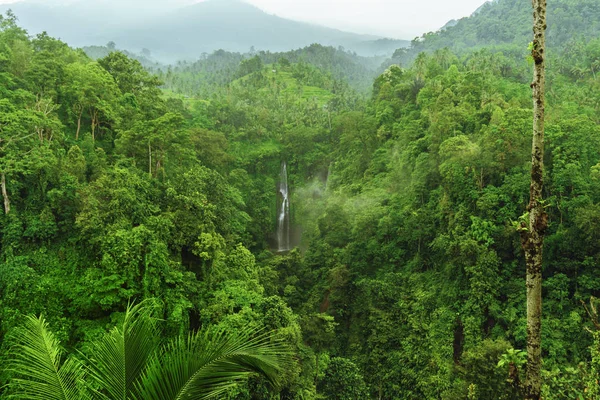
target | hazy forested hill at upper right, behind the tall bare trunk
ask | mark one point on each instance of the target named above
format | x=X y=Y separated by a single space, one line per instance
x=505 y=25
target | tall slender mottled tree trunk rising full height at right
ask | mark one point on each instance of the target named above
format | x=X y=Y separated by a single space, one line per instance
x=533 y=237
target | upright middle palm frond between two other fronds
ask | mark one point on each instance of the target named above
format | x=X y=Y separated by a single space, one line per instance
x=120 y=357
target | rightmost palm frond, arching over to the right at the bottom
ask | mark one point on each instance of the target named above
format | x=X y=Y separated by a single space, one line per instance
x=206 y=364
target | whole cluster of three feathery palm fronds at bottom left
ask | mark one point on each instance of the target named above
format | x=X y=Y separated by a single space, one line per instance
x=128 y=363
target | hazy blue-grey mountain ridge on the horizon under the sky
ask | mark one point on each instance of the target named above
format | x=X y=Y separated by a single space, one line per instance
x=188 y=31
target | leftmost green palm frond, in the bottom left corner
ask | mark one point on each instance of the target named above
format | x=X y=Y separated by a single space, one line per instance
x=36 y=363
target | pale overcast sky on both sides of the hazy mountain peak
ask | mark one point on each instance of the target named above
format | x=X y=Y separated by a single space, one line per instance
x=400 y=19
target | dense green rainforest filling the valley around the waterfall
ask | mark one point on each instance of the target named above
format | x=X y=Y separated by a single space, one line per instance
x=408 y=281
